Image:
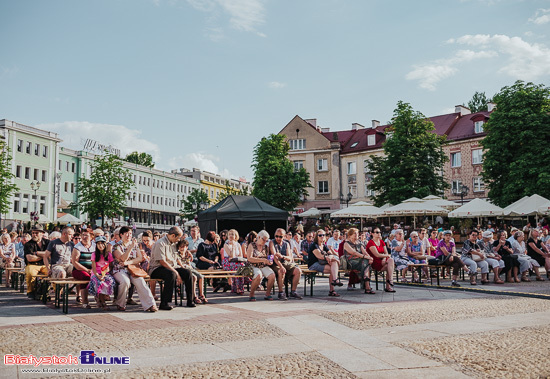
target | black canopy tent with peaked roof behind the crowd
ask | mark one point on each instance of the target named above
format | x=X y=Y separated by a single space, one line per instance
x=243 y=213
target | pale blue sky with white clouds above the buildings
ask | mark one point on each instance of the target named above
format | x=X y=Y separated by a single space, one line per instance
x=198 y=83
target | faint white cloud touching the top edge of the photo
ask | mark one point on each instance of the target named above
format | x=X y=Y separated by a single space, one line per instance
x=244 y=15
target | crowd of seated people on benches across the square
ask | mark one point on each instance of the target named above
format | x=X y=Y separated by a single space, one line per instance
x=118 y=264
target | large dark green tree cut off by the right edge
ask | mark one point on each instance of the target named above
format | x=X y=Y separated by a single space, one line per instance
x=516 y=149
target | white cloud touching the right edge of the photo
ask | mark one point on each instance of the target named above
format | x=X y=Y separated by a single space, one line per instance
x=525 y=61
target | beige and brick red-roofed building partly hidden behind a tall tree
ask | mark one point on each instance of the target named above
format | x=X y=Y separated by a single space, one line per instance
x=336 y=160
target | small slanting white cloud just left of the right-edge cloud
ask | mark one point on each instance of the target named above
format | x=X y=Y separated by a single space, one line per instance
x=430 y=74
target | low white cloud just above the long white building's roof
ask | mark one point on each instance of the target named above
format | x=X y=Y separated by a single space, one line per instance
x=74 y=133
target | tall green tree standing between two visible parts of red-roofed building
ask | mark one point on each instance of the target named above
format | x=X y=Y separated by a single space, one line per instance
x=413 y=160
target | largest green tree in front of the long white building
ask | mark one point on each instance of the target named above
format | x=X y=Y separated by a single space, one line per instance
x=105 y=192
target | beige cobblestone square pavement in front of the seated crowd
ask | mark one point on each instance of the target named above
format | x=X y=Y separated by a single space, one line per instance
x=408 y=333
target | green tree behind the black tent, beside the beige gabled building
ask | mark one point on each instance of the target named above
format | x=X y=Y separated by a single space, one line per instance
x=275 y=180
